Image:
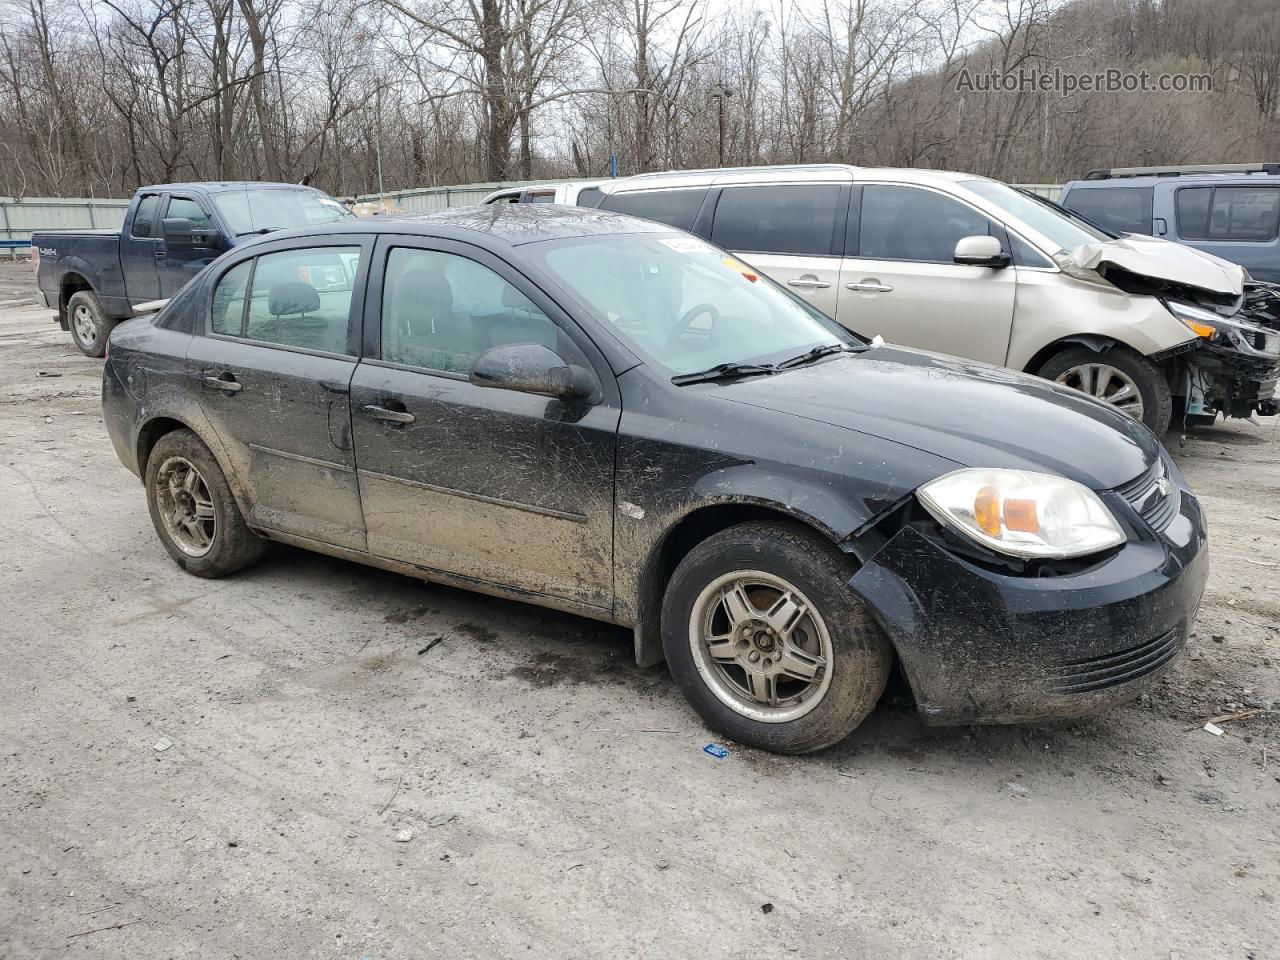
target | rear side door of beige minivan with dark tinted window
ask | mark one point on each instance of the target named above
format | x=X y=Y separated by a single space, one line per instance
x=793 y=232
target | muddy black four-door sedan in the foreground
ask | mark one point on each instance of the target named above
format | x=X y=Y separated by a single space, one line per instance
x=604 y=415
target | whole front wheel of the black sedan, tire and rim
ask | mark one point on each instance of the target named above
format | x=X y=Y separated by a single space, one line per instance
x=767 y=642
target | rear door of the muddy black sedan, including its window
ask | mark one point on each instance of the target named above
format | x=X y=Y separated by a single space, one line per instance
x=276 y=369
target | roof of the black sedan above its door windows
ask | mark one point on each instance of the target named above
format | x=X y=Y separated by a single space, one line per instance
x=513 y=225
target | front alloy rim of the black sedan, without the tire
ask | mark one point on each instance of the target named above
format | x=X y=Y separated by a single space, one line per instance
x=761 y=646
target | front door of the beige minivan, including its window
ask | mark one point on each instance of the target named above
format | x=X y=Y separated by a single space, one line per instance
x=900 y=280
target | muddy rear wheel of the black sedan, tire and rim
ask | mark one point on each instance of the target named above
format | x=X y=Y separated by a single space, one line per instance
x=194 y=511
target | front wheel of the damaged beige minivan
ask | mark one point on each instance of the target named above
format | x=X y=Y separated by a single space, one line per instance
x=1122 y=378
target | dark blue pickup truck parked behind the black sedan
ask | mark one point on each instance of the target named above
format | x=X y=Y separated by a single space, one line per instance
x=97 y=278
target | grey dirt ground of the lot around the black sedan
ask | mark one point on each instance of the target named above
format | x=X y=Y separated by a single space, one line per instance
x=559 y=799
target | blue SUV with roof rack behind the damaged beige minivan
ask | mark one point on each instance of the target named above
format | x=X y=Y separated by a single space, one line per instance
x=1231 y=211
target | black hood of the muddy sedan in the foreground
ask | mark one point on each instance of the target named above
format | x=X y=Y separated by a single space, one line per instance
x=972 y=414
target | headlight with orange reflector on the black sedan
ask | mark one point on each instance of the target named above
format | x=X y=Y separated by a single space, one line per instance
x=1022 y=514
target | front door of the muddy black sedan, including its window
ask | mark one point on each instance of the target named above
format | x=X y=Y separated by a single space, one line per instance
x=487 y=484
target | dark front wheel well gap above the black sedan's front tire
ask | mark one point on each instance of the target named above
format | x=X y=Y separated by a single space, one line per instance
x=687 y=534
